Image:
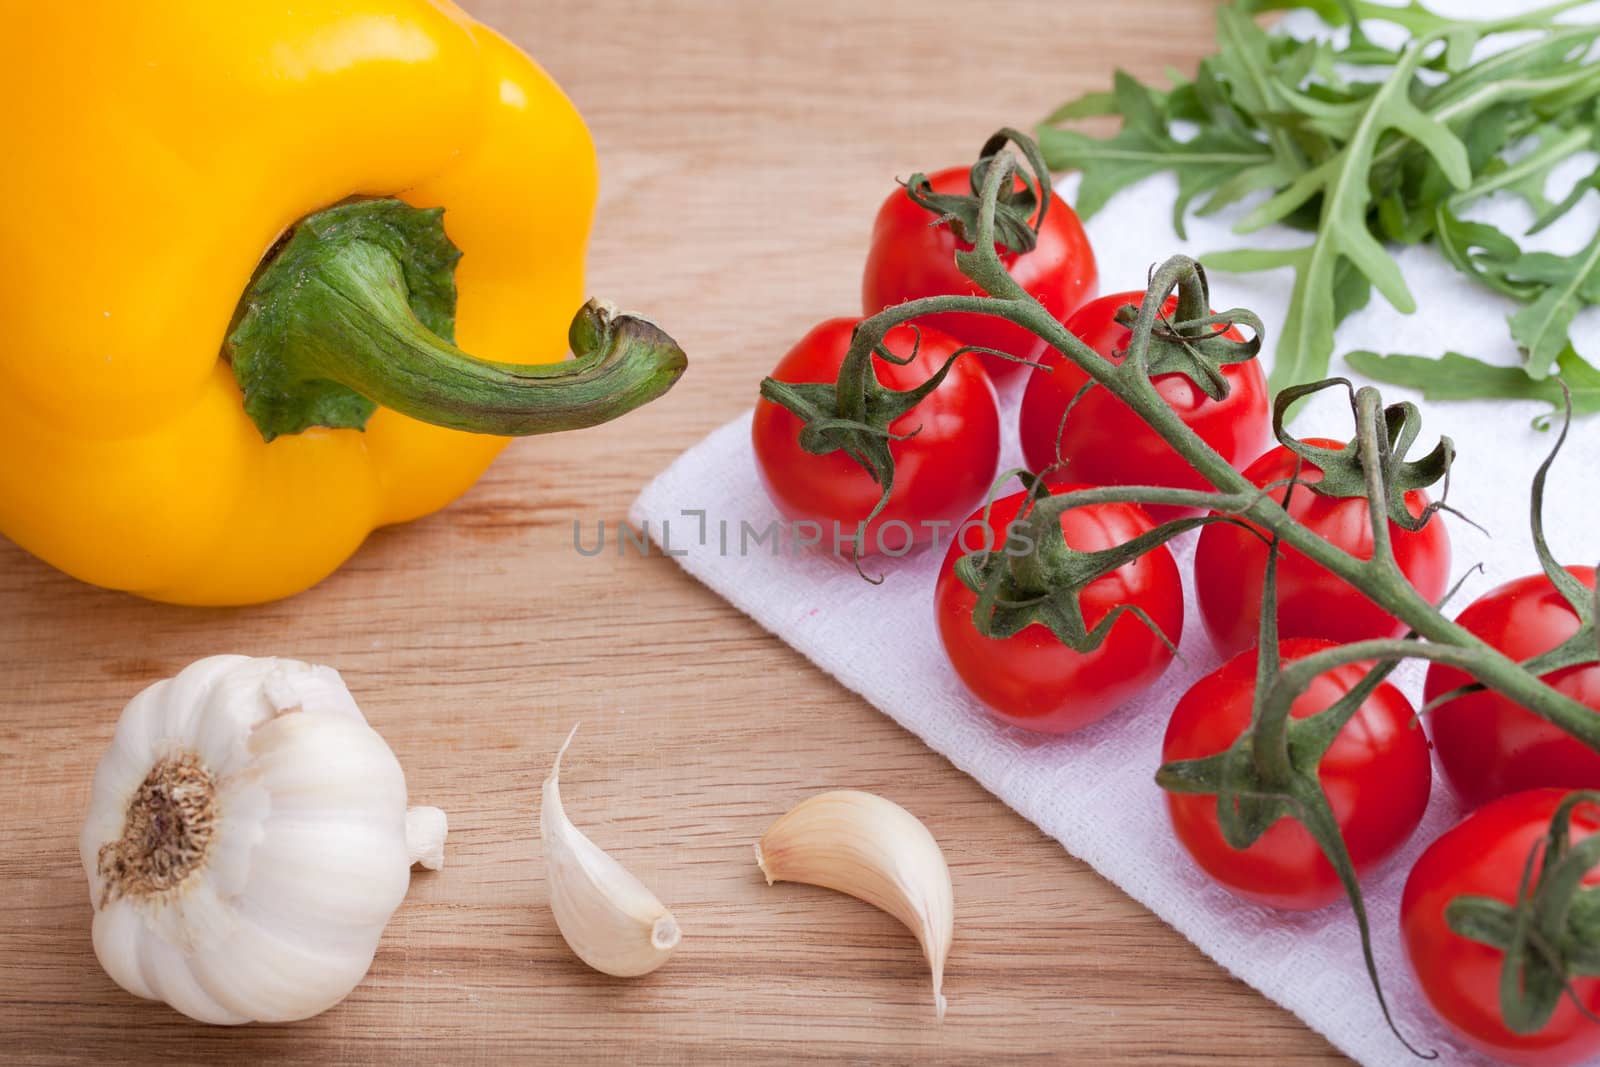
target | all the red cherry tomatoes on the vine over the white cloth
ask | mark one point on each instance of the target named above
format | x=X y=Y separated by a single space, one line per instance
x=1377 y=773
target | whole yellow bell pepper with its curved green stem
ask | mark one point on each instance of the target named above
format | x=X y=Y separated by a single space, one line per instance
x=158 y=159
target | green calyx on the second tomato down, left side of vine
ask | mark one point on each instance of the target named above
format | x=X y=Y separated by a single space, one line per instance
x=1036 y=577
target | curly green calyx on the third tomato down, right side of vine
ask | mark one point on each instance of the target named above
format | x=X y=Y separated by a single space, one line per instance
x=1346 y=473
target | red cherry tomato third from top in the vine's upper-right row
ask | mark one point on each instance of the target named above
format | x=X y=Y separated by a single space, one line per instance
x=1231 y=564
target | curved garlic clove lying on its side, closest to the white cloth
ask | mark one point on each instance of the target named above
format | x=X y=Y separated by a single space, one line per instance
x=873 y=850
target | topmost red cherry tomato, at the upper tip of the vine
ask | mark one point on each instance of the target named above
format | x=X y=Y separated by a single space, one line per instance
x=913 y=258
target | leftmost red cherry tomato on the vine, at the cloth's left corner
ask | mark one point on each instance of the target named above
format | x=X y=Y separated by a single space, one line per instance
x=940 y=474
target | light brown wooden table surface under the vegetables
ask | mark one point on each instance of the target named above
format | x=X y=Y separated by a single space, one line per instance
x=746 y=146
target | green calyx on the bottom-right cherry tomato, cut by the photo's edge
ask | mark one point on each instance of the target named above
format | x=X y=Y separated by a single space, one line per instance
x=1551 y=935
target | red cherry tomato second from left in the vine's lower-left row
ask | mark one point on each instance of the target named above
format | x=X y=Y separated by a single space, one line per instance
x=1031 y=679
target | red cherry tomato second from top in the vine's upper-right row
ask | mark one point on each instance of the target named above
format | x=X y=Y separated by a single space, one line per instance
x=1106 y=444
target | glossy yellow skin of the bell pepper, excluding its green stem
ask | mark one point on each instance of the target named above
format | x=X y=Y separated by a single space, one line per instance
x=161 y=153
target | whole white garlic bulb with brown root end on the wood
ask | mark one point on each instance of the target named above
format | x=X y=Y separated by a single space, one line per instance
x=247 y=842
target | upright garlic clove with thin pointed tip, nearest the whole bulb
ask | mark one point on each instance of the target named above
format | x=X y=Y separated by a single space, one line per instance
x=606 y=914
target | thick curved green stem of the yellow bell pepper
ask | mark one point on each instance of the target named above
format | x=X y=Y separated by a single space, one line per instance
x=358 y=311
